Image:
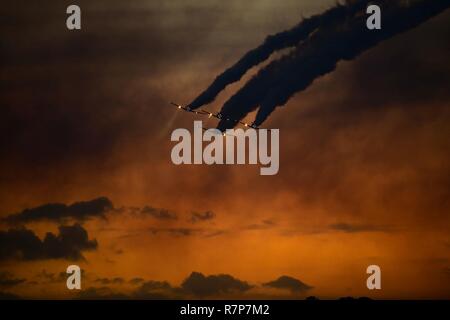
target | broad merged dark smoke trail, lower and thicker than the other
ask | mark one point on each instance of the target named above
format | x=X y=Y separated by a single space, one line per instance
x=319 y=55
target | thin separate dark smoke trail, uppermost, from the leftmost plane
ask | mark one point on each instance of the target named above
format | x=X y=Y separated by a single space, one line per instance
x=282 y=40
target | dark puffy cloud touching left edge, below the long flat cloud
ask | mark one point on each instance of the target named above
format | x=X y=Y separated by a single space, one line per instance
x=23 y=244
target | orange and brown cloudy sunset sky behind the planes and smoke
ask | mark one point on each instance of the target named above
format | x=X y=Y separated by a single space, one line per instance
x=85 y=117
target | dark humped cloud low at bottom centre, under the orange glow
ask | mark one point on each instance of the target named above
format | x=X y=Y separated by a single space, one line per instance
x=200 y=285
